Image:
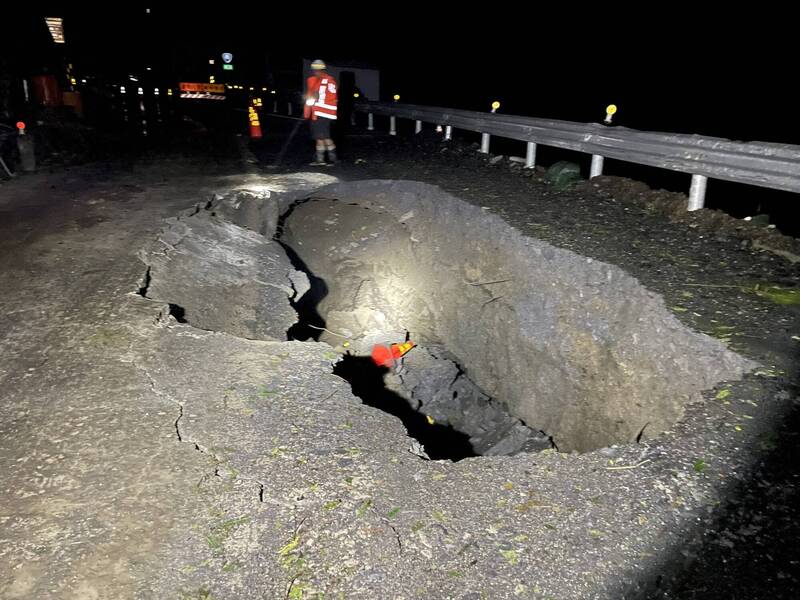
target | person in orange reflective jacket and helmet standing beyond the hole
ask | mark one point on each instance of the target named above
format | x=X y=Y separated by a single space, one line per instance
x=320 y=110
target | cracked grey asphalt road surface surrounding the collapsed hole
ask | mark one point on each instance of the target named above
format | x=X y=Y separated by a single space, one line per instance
x=146 y=458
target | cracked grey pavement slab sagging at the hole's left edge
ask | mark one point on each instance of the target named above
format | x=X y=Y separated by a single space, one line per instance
x=221 y=277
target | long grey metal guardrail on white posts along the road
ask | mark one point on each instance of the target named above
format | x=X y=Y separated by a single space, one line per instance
x=770 y=165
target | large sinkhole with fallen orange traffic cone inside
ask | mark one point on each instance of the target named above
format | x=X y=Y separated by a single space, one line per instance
x=521 y=346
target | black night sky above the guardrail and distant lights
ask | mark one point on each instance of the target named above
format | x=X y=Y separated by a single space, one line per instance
x=666 y=67
